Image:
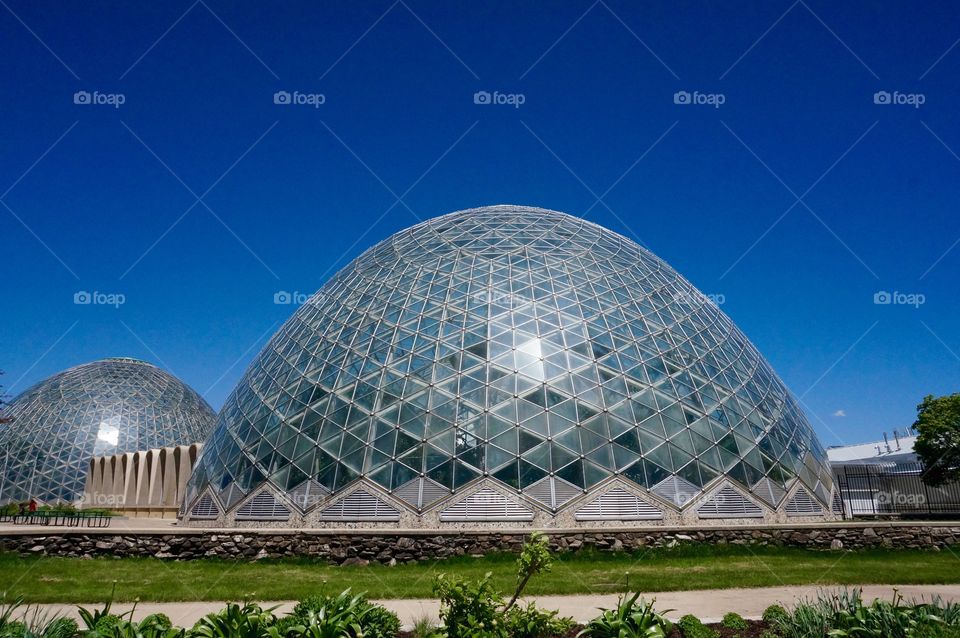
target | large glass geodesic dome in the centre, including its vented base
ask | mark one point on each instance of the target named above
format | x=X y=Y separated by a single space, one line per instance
x=508 y=363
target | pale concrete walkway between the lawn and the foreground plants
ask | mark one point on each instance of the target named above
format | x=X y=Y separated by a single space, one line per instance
x=709 y=605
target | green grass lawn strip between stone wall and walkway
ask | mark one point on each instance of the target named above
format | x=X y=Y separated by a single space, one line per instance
x=68 y=580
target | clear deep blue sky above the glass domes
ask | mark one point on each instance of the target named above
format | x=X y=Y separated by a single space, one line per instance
x=797 y=199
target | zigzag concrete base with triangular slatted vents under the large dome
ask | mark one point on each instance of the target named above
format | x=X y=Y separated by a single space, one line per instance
x=488 y=504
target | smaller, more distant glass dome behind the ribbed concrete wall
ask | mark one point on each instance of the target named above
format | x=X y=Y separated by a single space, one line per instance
x=105 y=407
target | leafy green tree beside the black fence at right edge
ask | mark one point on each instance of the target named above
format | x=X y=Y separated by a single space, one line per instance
x=938 y=441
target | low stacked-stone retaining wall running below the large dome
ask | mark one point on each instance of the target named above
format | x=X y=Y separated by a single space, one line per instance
x=352 y=548
